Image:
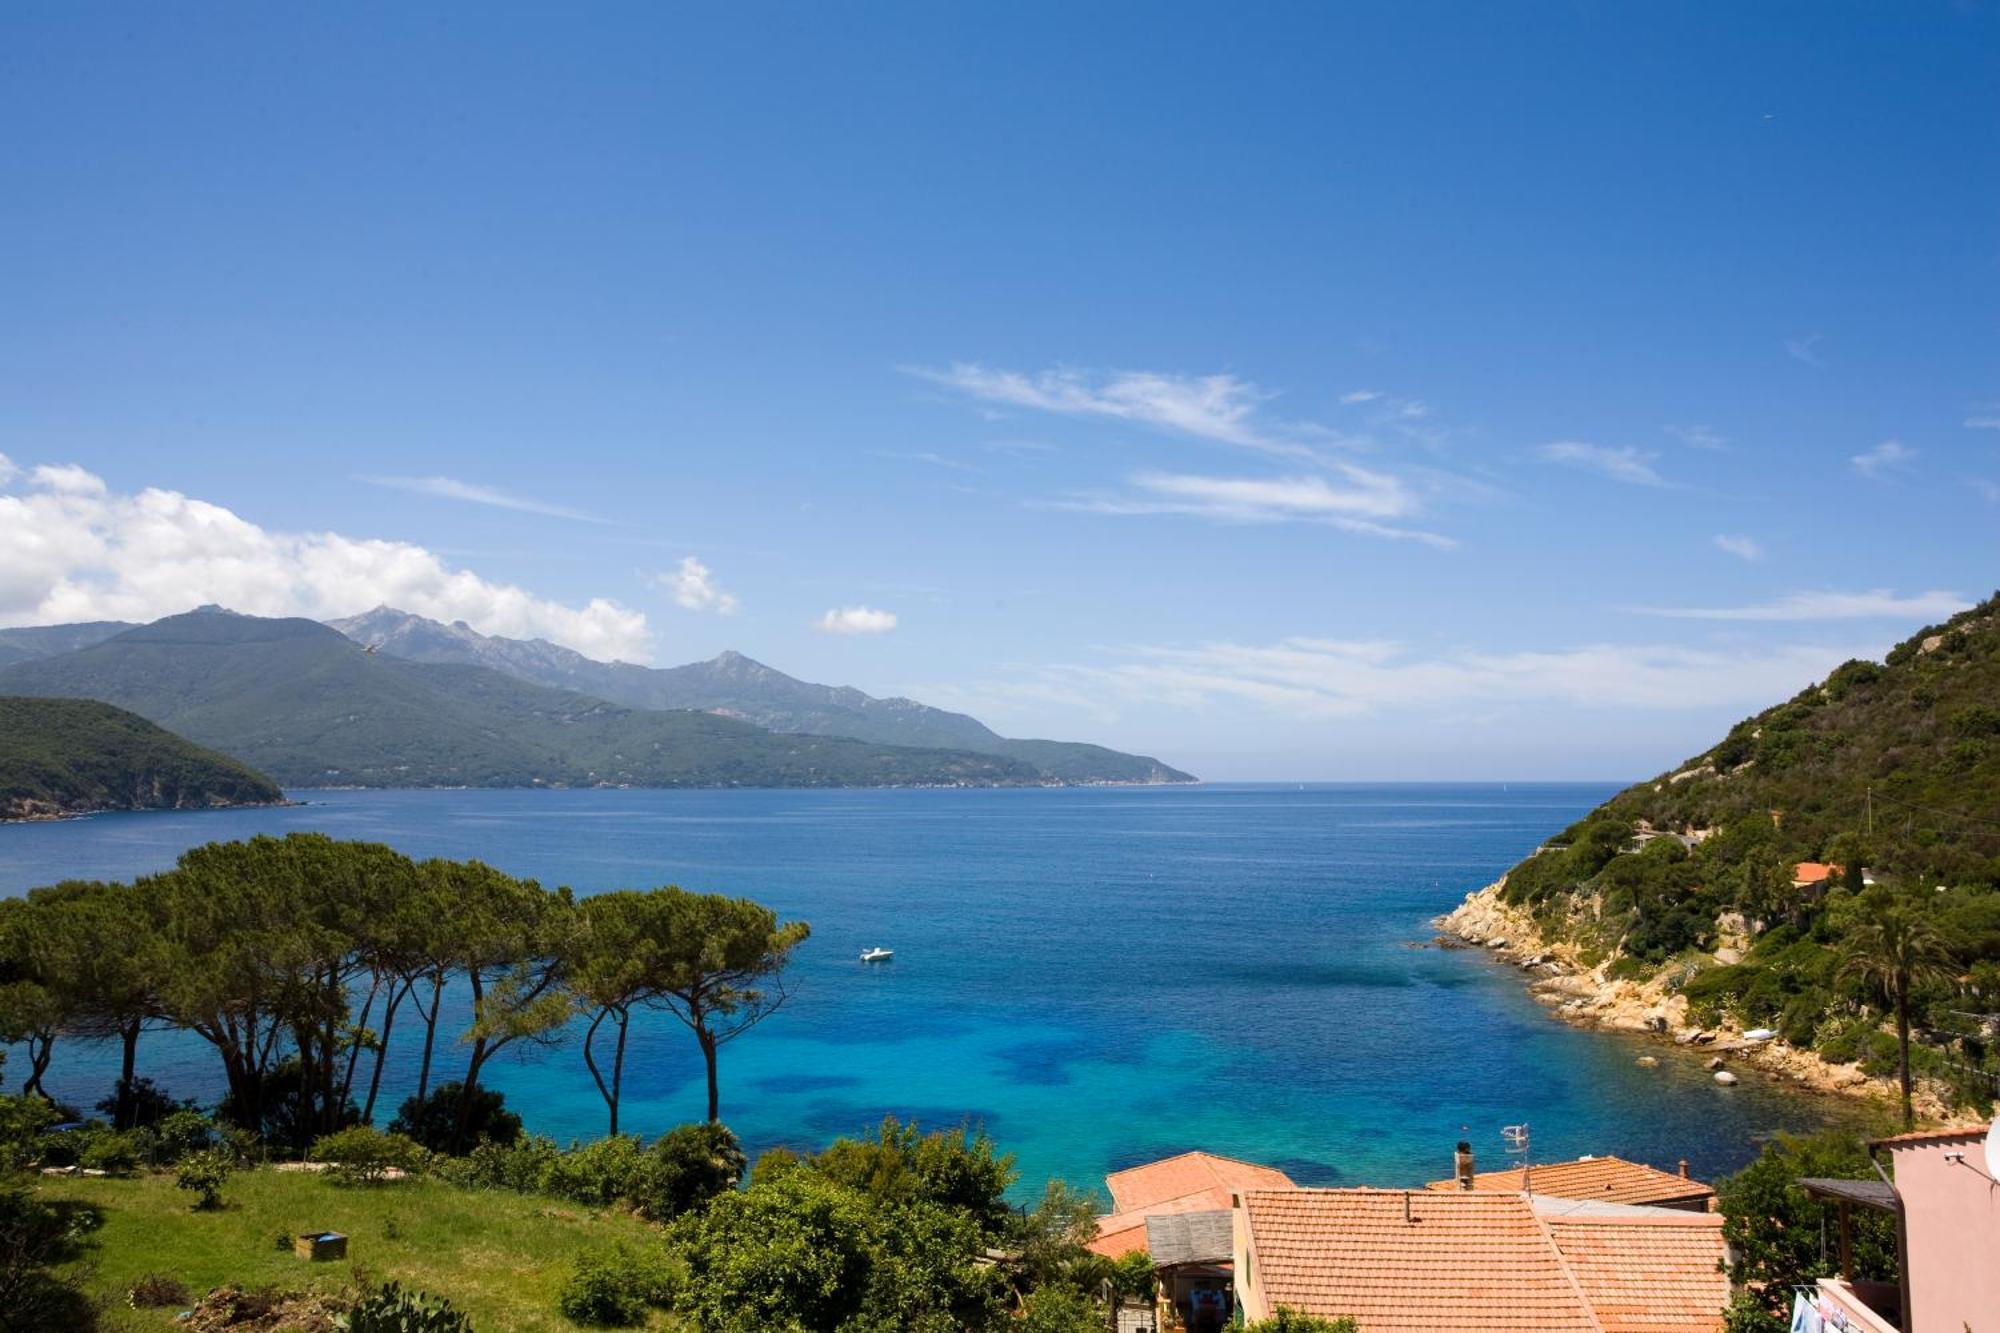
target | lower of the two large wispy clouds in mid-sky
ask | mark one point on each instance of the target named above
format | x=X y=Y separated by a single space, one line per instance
x=1359 y=501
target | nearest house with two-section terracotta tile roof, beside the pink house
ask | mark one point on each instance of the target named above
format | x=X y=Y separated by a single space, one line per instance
x=1449 y=1262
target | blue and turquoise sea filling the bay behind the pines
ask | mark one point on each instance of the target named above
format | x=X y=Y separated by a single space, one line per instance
x=1099 y=976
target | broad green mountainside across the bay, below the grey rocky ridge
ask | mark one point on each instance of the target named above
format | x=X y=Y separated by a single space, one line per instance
x=315 y=710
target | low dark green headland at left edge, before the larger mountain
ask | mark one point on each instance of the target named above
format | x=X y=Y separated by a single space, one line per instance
x=73 y=756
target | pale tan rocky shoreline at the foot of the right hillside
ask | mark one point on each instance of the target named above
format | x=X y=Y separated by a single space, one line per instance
x=1587 y=996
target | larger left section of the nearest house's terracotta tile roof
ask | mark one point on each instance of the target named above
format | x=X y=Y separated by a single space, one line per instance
x=1461 y=1262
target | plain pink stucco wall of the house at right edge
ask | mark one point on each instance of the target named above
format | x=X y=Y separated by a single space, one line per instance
x=1955 y=1236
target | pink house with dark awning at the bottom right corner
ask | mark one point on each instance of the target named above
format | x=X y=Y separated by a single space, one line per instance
x=1949 y=1236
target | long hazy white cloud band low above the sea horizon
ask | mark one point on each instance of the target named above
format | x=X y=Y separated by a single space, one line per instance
x=1303 y=678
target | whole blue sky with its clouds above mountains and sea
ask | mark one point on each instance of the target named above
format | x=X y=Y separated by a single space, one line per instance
x=1297 y=391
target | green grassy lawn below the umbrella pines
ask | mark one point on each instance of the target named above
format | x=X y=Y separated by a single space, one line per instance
x=497 y=1256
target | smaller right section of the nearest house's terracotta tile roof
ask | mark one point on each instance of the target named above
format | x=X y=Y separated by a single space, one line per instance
x=1647 y=1274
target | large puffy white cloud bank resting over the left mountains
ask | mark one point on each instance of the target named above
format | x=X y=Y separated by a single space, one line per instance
x=75 y=551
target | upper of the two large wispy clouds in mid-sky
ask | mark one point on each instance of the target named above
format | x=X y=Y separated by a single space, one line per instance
x=1211 y=407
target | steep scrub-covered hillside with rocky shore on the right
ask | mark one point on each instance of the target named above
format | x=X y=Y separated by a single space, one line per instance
x=1749 y=888
